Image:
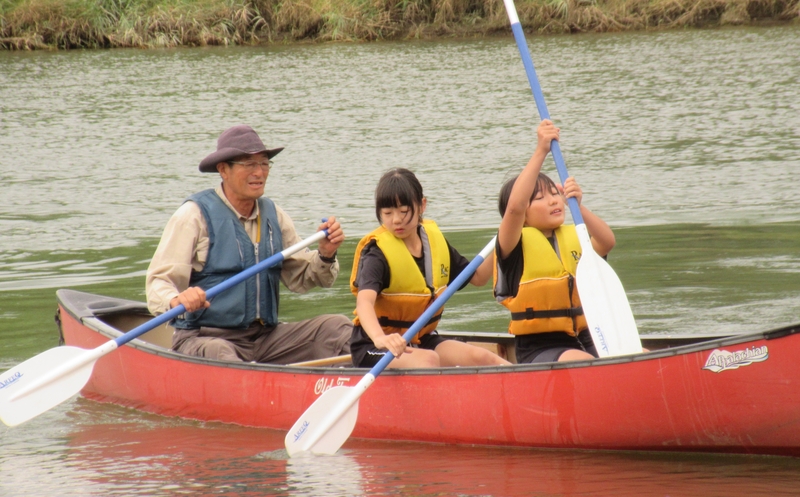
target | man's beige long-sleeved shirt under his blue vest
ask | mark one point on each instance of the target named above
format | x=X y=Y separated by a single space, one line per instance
x=184 y=247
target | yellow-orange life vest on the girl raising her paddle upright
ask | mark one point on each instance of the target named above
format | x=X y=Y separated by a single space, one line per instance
x=547 y=299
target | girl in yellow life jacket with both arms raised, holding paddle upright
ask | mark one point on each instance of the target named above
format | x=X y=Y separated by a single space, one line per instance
x=537 y=257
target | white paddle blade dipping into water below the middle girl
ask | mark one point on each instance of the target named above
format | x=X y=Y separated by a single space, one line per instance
x=316 y=432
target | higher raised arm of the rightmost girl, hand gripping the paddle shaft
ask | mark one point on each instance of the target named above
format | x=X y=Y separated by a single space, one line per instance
x=514 y=217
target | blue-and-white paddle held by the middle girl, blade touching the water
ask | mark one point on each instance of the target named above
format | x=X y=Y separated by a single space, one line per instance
x=329 y=421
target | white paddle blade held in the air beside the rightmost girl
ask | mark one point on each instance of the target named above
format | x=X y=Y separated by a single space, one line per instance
x=606 y=307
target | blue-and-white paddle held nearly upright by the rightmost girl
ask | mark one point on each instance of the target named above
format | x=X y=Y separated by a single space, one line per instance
x=605 y=304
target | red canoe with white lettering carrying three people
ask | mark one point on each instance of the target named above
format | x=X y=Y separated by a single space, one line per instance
x=735 y=394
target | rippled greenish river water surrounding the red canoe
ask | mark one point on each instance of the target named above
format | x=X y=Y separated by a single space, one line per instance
x=687 y=143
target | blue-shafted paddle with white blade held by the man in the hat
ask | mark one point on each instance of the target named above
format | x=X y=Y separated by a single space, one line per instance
x=50 y=378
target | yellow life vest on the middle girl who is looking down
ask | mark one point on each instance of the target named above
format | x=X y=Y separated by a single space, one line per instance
x=409 y=292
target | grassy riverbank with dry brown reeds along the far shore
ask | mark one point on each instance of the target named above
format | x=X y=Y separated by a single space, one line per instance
x=64 y=24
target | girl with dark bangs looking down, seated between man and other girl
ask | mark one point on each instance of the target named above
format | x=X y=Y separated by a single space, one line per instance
x=398 y=271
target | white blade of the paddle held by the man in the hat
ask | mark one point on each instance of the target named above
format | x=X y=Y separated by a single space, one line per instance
x=16 y=409
